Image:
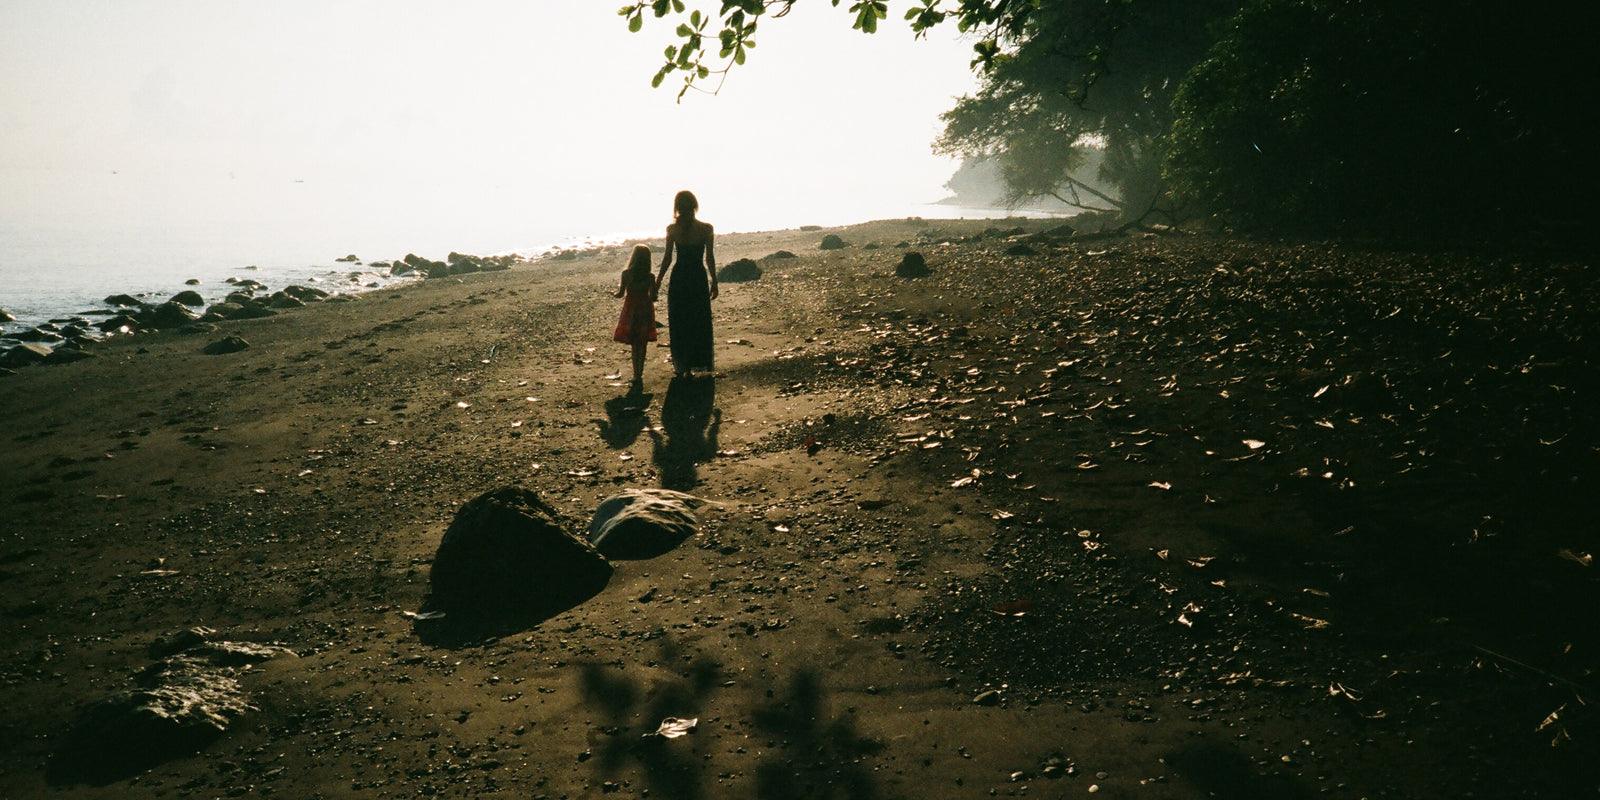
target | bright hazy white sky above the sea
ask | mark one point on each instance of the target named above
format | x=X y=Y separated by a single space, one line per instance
x=487 y=126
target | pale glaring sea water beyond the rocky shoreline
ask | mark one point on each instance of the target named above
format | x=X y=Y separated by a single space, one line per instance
x=54 y=271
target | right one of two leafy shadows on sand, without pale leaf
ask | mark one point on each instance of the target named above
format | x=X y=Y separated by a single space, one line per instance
x=826 y=753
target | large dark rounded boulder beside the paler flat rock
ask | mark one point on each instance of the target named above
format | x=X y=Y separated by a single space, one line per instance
x=508 y=553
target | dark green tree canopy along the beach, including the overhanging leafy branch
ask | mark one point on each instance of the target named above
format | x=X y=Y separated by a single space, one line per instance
x=1273 y=114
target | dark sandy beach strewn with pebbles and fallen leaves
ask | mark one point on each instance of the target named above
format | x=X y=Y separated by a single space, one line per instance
x=1246 y=521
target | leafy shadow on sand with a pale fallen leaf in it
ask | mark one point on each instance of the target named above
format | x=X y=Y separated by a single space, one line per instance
x=671 y=767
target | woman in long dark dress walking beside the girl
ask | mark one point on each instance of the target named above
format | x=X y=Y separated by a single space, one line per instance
x=694 y=287
